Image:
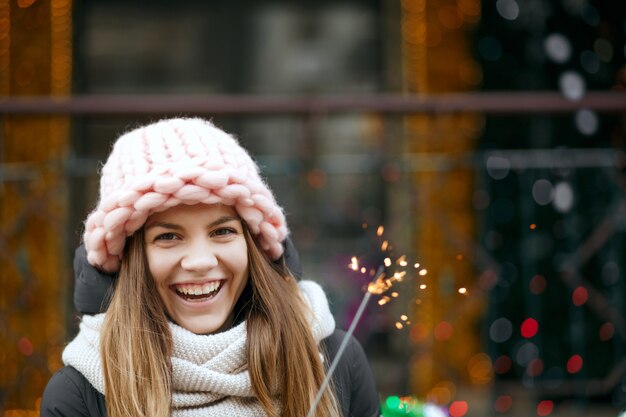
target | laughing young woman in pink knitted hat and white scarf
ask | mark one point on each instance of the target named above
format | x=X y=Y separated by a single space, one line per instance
x=205 y=318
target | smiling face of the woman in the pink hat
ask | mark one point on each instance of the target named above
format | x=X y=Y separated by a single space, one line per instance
x=198 y=258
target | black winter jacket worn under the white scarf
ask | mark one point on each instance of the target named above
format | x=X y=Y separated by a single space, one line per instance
x=69 y=394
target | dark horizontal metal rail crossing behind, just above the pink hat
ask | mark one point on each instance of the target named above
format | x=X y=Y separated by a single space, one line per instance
x=489 y=102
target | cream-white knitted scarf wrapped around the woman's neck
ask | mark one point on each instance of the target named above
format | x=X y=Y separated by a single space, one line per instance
x=209 y=372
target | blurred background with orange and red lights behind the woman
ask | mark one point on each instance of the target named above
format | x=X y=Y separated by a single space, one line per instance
x=483 y=141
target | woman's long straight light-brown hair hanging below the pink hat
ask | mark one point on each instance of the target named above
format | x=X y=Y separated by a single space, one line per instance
x=136 y=342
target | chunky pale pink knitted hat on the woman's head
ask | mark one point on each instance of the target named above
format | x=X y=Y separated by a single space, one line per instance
x=171 y=162
